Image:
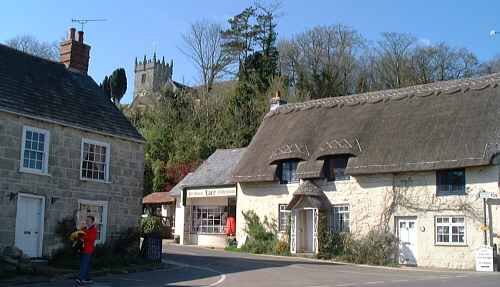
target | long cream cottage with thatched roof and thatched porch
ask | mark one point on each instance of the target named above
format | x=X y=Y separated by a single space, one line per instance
x=411 y=160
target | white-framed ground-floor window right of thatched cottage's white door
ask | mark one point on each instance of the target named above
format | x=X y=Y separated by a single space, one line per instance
x=450 y=230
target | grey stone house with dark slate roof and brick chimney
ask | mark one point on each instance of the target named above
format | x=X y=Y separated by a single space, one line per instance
x=65 y=151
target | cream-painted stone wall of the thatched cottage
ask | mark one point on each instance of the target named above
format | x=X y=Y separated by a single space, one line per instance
x=369 y=196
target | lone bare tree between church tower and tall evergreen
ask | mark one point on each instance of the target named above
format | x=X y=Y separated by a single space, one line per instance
x=203 y=45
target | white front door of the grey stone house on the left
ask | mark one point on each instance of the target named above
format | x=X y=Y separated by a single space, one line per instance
x=29 y=224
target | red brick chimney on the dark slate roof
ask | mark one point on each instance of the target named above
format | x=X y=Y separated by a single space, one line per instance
x=74 y=53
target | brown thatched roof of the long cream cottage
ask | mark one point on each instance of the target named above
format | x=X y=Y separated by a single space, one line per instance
x=441 y=125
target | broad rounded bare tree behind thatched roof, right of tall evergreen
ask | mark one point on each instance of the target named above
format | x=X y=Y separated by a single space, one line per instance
x=321 y=62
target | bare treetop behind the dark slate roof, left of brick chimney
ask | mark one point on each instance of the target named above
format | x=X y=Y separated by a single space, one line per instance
x=31 y=45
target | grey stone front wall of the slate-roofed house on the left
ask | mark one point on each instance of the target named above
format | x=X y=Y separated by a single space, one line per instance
x=62 y=187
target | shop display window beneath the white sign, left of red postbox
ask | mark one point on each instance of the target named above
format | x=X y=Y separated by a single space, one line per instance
x=209 y=219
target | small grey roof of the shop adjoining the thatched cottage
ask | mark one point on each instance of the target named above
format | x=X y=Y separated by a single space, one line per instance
x=215 y=171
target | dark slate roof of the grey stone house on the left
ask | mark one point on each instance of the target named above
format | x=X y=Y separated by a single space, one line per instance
x=43 y=89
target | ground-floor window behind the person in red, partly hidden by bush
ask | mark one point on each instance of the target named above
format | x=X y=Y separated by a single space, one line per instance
x=97 y=209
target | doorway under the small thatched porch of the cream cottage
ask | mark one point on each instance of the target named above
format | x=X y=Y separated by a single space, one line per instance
x=305 y=232
